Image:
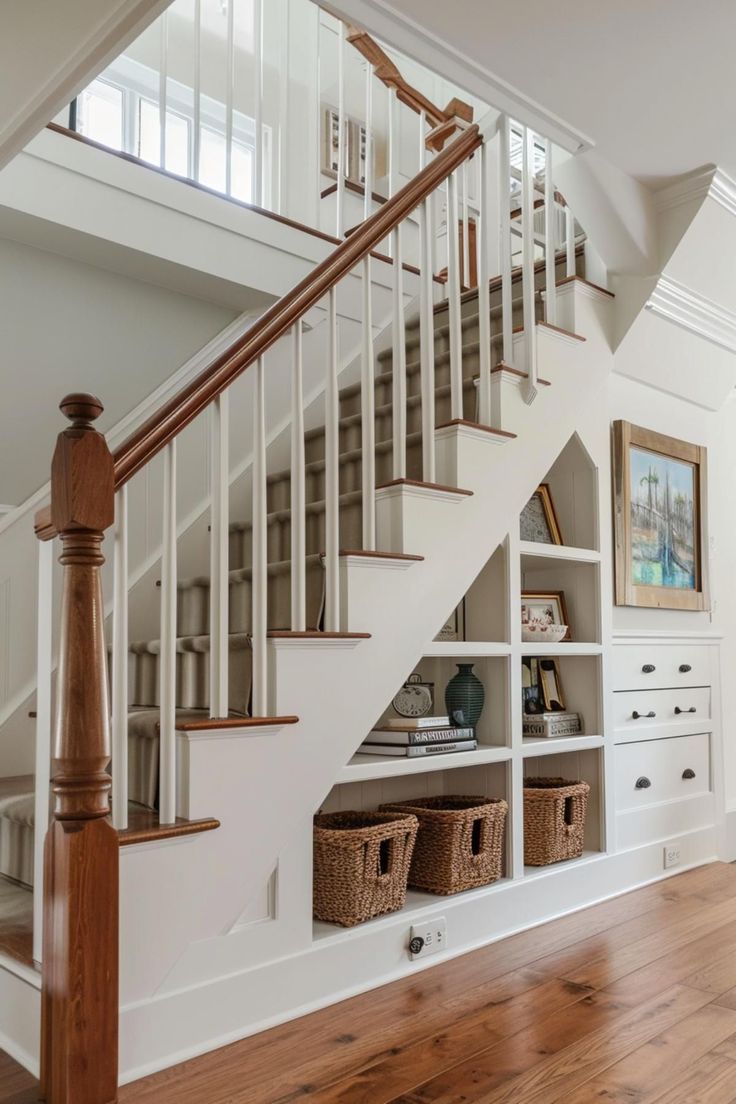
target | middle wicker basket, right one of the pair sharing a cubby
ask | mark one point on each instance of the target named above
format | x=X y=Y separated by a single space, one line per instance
x=460 y=845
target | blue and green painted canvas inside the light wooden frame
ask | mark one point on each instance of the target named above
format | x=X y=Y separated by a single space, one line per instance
x=663 y=522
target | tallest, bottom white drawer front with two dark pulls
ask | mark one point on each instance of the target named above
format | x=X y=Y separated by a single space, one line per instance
x=663 y=770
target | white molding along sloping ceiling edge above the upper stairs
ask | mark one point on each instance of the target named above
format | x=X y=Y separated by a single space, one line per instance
x=401 y=33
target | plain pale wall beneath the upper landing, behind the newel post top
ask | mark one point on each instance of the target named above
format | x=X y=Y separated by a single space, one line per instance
x=67 y=326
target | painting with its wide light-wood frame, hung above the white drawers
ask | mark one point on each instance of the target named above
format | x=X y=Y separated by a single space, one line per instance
x=660 y=503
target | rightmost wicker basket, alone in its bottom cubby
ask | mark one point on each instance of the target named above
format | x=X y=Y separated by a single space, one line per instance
x=554 y=820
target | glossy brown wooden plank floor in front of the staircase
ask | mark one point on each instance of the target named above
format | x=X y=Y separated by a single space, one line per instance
x=633 y=1001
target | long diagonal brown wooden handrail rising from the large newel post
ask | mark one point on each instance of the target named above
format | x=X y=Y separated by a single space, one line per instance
x=175 y=416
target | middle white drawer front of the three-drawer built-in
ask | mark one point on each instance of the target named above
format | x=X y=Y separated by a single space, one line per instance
x=638 y=712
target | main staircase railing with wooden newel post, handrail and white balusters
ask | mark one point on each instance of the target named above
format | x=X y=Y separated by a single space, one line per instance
x=92 y=491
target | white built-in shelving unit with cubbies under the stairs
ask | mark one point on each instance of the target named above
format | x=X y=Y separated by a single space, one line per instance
x=489 y=638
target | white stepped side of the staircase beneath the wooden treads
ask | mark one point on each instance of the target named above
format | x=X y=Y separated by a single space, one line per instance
x=265 y=787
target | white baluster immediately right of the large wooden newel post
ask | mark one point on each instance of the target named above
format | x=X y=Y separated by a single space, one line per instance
x=120 y=727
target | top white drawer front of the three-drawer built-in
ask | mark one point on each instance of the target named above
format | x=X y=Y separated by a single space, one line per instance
x=650 y=667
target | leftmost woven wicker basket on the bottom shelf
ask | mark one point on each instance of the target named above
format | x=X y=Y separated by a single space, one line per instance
x=361 y=865
